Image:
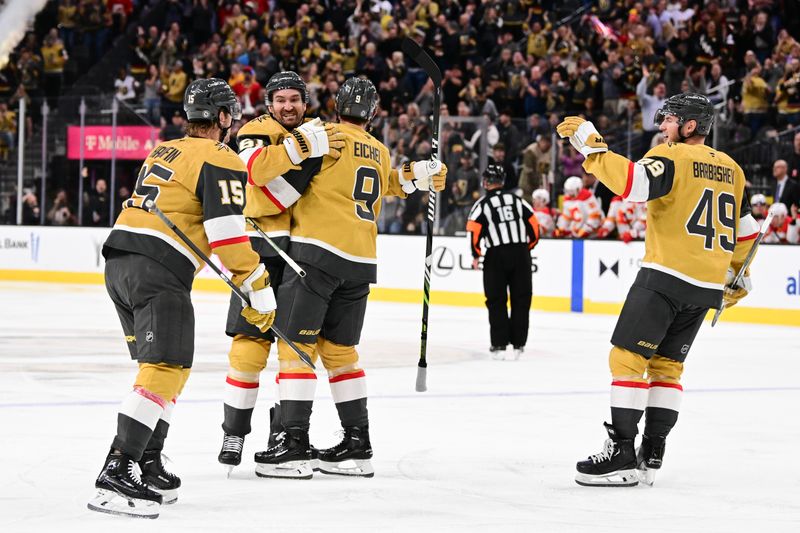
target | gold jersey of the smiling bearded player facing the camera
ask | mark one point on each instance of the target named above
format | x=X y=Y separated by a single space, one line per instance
x=273 y=183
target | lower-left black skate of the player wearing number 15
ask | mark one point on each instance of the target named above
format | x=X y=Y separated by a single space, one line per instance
x=121 y=491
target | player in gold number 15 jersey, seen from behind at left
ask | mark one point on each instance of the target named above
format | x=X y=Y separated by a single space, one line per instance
x=198 y=182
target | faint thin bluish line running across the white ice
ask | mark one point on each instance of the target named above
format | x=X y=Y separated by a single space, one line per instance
x=417 y=396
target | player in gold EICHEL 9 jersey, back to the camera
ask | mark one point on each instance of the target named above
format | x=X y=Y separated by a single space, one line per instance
x=333 y=237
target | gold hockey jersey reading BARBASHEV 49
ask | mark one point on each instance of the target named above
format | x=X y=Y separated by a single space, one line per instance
x=699 y=220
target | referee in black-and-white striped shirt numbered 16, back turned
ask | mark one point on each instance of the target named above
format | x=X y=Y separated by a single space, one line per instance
x=503 y=228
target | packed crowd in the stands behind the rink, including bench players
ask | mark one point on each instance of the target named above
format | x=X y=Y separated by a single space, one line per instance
x=512 y=70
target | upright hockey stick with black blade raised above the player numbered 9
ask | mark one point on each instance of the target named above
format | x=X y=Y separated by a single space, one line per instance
x=413 y=50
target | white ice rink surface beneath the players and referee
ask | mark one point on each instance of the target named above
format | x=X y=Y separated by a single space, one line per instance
x=490 y=447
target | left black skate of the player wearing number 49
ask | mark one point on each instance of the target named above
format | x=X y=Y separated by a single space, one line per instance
x=615 y=466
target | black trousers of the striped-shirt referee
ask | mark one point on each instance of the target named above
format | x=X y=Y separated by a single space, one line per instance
x=507 y=271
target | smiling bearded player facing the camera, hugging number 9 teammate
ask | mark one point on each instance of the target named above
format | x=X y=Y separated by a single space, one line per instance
x=269 y=146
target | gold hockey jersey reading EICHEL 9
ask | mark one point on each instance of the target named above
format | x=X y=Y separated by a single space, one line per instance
x=334 y=223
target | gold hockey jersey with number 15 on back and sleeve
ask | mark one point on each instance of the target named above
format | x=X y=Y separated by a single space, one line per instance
x=200 y=185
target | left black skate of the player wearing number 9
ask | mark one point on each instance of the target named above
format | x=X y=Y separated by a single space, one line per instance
x=289 y=458
